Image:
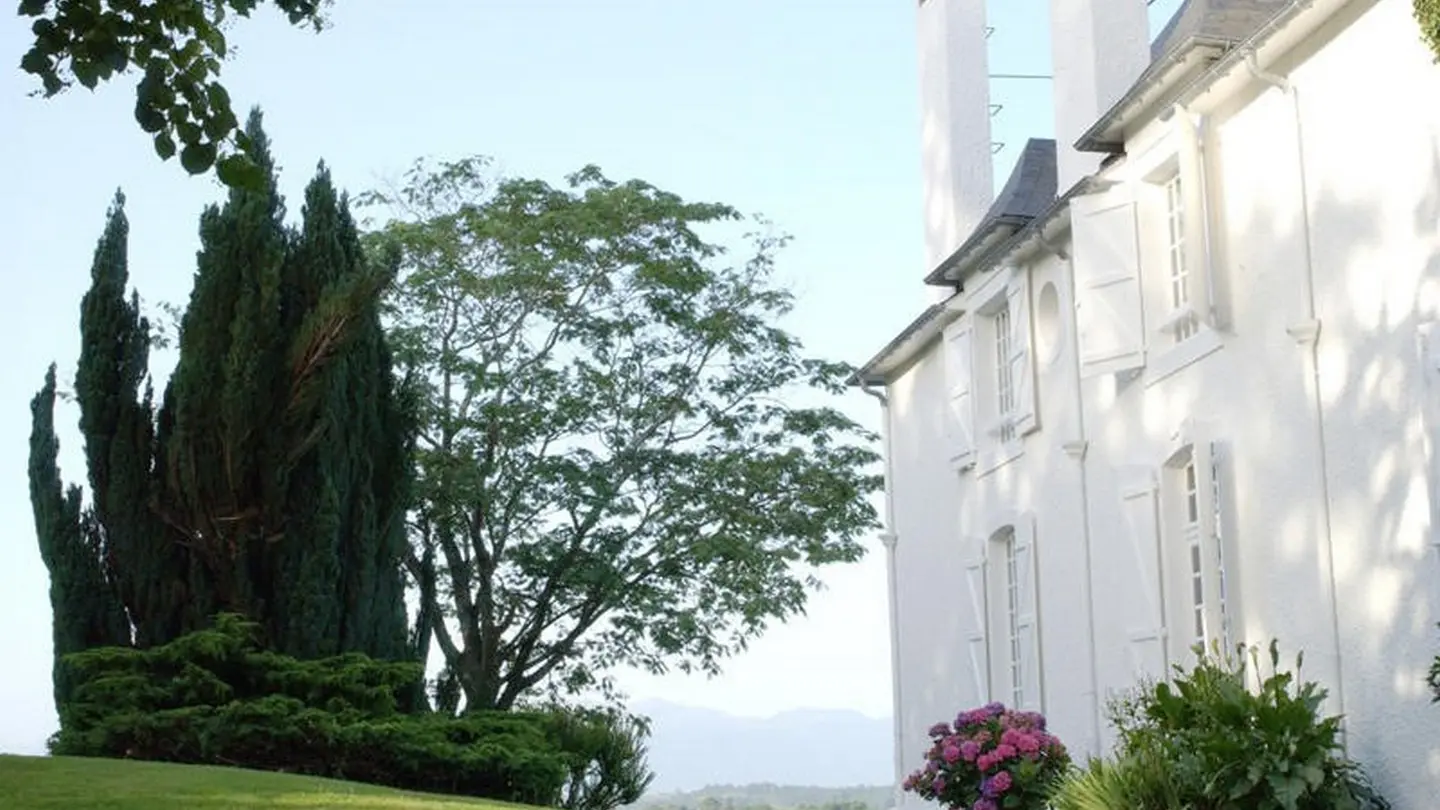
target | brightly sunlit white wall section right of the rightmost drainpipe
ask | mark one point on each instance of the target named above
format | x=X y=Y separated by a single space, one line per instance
x=1376 y=247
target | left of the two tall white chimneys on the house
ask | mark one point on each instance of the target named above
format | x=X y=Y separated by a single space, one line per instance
x=955 y=126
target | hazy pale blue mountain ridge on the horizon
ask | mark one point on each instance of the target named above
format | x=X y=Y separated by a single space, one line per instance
x=693 y=749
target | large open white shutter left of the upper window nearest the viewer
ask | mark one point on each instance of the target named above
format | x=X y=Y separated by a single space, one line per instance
x=1107 y=262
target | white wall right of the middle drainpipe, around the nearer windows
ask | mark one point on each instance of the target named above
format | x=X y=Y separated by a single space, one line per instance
x=1367 y=218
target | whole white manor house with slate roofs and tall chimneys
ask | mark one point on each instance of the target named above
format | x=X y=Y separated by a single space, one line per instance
x=1180 y=381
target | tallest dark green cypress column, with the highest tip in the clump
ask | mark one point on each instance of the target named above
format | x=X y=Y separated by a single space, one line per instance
x=221 y=491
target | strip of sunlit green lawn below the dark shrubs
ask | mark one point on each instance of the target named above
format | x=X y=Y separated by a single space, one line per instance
x=66 y=783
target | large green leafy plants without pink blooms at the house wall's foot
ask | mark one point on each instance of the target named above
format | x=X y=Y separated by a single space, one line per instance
x=1207 y=739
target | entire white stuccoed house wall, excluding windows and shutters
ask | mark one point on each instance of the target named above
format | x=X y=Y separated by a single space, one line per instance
x=1367 y=220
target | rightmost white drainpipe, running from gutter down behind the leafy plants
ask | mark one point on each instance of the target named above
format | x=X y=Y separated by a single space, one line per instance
x=1308 y=334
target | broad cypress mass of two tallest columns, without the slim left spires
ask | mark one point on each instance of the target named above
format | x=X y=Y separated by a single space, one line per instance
x=284 y=443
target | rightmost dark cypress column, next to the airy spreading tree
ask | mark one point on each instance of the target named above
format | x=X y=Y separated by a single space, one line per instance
x=354 y=535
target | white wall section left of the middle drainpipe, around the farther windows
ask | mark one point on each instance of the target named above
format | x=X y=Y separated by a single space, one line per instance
x=944 y=520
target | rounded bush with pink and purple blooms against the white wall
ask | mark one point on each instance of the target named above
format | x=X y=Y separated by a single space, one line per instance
x=991 y=759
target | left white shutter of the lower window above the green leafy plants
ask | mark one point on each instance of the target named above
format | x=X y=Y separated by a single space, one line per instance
x=1147 y=616
